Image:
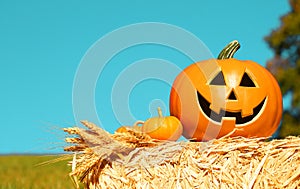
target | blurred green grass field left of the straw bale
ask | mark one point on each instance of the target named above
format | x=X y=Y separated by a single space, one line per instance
x=24 y=172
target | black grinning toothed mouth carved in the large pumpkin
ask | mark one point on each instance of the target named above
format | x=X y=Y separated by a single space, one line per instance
x=204 y=104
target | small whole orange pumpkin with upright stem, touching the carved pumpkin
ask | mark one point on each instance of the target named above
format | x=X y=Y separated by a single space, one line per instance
x=163 y=128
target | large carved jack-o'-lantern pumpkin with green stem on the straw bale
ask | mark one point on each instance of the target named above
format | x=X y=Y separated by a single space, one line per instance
x=226 y=96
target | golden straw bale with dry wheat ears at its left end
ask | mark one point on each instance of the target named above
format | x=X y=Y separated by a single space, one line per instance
x=133 y=160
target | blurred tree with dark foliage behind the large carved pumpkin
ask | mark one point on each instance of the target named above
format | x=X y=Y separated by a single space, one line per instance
x=285 y=42
